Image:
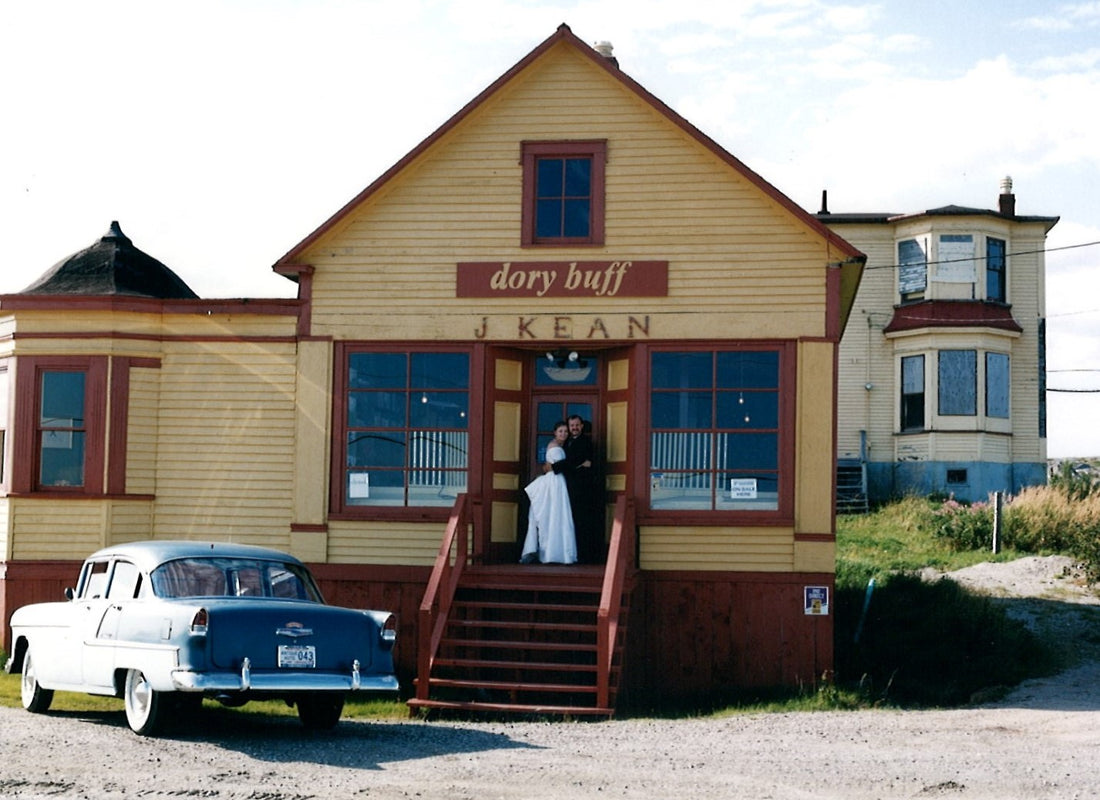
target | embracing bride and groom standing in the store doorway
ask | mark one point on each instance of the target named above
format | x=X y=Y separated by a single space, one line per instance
x=565 y=525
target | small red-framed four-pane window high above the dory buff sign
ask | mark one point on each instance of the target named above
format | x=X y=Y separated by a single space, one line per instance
x=564 y=193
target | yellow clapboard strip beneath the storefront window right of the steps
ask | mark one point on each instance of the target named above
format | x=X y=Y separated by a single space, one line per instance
x=717 y=549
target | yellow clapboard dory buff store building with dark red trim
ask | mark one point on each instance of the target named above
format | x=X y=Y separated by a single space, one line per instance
x=566 y=244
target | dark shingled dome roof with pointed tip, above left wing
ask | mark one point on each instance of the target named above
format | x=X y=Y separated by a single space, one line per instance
x=112 y=267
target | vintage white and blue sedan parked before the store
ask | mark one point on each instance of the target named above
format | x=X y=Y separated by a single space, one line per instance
x=163 y=624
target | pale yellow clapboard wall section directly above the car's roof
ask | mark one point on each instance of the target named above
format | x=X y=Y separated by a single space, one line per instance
x=227 y=433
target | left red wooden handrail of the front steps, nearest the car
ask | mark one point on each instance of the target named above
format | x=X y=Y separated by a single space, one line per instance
x=439 y=595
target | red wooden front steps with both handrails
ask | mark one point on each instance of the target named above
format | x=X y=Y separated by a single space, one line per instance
x=515 y=639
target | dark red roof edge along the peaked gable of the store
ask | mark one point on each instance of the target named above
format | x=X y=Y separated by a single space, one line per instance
x=565 y=36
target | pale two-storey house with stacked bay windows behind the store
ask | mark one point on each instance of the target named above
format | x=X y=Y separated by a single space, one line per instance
x=943 y=363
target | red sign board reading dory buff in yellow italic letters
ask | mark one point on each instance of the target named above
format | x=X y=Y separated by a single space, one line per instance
x=573 y=279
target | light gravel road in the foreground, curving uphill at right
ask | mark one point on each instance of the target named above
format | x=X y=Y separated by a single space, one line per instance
x=1039 y=742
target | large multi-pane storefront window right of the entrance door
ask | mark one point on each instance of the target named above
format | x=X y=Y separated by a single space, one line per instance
x=717 y=422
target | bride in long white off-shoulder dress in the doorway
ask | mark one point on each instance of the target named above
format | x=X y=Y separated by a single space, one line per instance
x=551 y=535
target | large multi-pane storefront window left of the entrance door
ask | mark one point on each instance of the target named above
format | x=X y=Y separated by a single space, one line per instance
x=405 y=422
